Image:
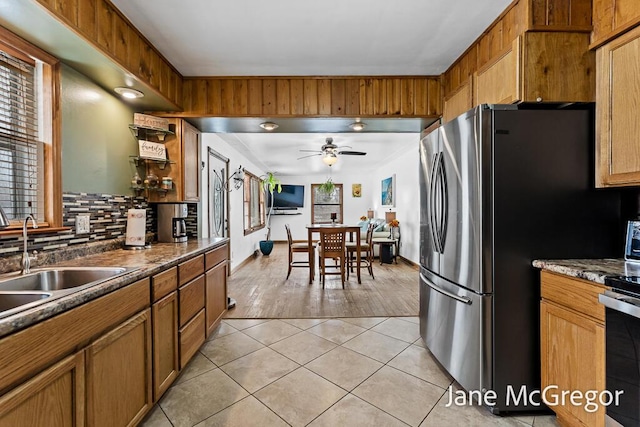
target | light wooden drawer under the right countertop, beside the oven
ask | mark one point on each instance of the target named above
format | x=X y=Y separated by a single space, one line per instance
x=576 y=294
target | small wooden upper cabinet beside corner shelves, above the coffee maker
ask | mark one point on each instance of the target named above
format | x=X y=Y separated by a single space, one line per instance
x=183 y=151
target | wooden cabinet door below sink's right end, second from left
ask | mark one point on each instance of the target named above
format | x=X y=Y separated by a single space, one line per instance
x=119 y=374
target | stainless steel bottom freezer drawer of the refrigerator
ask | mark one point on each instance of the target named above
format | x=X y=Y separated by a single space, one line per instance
x=456 y=327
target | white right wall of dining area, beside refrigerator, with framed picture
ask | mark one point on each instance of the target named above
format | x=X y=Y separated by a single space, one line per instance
x=406 y=168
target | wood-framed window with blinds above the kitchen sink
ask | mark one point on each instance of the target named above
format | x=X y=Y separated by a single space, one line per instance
x=28 y=142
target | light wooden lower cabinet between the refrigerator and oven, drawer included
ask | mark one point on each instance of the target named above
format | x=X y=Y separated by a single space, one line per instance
x=572 y=346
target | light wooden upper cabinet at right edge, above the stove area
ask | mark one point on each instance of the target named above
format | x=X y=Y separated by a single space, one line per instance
x=617 y=104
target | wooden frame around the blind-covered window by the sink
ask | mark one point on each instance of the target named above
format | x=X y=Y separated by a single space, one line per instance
x=51 y=130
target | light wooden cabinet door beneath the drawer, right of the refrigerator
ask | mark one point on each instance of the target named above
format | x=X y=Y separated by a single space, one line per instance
x=572 y=357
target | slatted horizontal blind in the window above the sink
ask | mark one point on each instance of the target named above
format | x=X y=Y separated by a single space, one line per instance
x=21 y=152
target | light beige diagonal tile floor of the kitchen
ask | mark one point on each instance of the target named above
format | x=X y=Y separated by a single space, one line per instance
x=318 y=372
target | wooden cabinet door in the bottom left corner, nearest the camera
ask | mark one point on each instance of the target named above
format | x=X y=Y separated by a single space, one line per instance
x=53 y=398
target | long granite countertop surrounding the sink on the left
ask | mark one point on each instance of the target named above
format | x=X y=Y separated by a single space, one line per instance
x=143 y=263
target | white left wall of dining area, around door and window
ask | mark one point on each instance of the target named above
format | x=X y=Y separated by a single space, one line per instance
x=241 y=246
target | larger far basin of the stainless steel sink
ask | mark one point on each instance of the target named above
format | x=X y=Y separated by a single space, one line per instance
x=60 y=278
